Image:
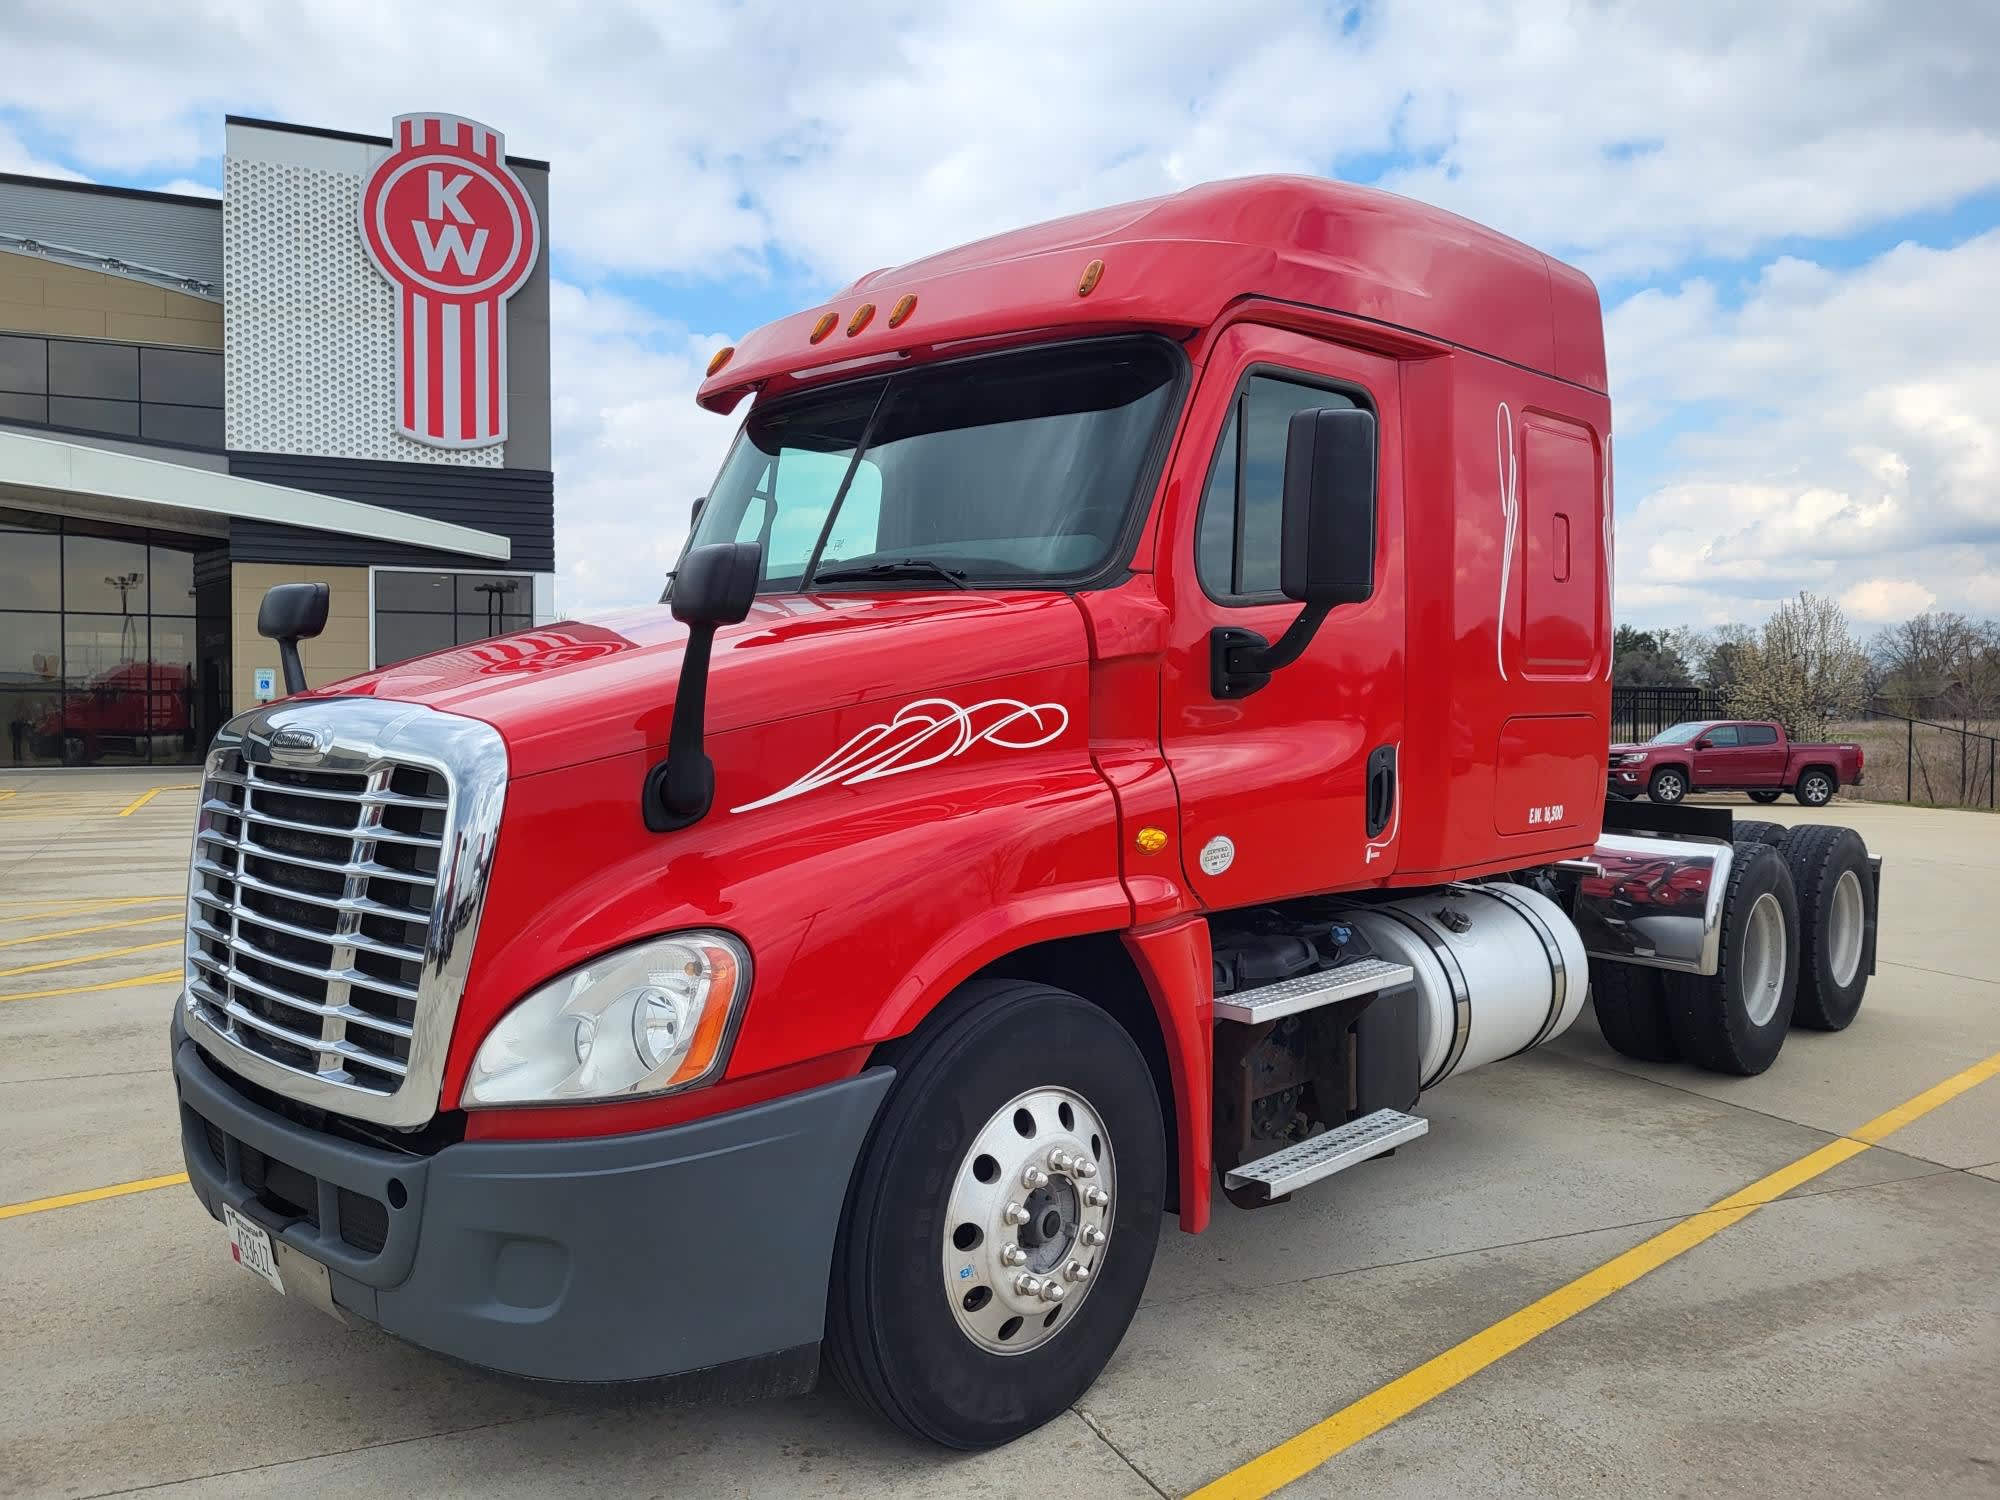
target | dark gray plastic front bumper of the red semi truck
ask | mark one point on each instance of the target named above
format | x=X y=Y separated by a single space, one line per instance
x=609 y=1259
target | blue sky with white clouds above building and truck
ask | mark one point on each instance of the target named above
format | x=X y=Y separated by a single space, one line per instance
x=1793 y=211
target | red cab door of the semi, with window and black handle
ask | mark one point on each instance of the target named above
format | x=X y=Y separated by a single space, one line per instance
x=1295 y=787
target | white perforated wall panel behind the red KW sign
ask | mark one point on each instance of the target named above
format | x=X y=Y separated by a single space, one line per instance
x=309 y=329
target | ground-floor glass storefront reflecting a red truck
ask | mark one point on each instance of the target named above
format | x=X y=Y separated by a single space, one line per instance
x=115 y=643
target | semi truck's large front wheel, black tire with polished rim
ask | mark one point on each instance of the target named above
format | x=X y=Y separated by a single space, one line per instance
x=1003 y=1219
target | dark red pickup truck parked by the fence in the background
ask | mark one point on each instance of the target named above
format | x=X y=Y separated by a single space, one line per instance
x=1733 y=757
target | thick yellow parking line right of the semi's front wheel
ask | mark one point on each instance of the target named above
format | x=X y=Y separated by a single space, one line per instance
x=1317 y=1445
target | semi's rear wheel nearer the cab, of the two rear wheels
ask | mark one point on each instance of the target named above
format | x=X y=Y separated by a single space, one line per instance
x=1735 y=1019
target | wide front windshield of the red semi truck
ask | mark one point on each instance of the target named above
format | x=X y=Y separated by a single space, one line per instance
x=1001 y=469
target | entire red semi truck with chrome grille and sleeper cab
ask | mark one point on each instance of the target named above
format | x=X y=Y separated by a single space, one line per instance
x=1131 y=719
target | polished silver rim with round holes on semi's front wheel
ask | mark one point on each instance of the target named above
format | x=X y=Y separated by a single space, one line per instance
x=1029 y=1221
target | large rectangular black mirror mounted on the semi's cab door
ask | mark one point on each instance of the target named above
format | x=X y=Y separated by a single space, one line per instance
x=1325 y=551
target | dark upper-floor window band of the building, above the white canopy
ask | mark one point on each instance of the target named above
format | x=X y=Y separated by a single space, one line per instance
x=121 y=391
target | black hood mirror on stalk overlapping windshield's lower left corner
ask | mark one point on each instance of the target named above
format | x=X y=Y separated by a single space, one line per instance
x=715 y=587
